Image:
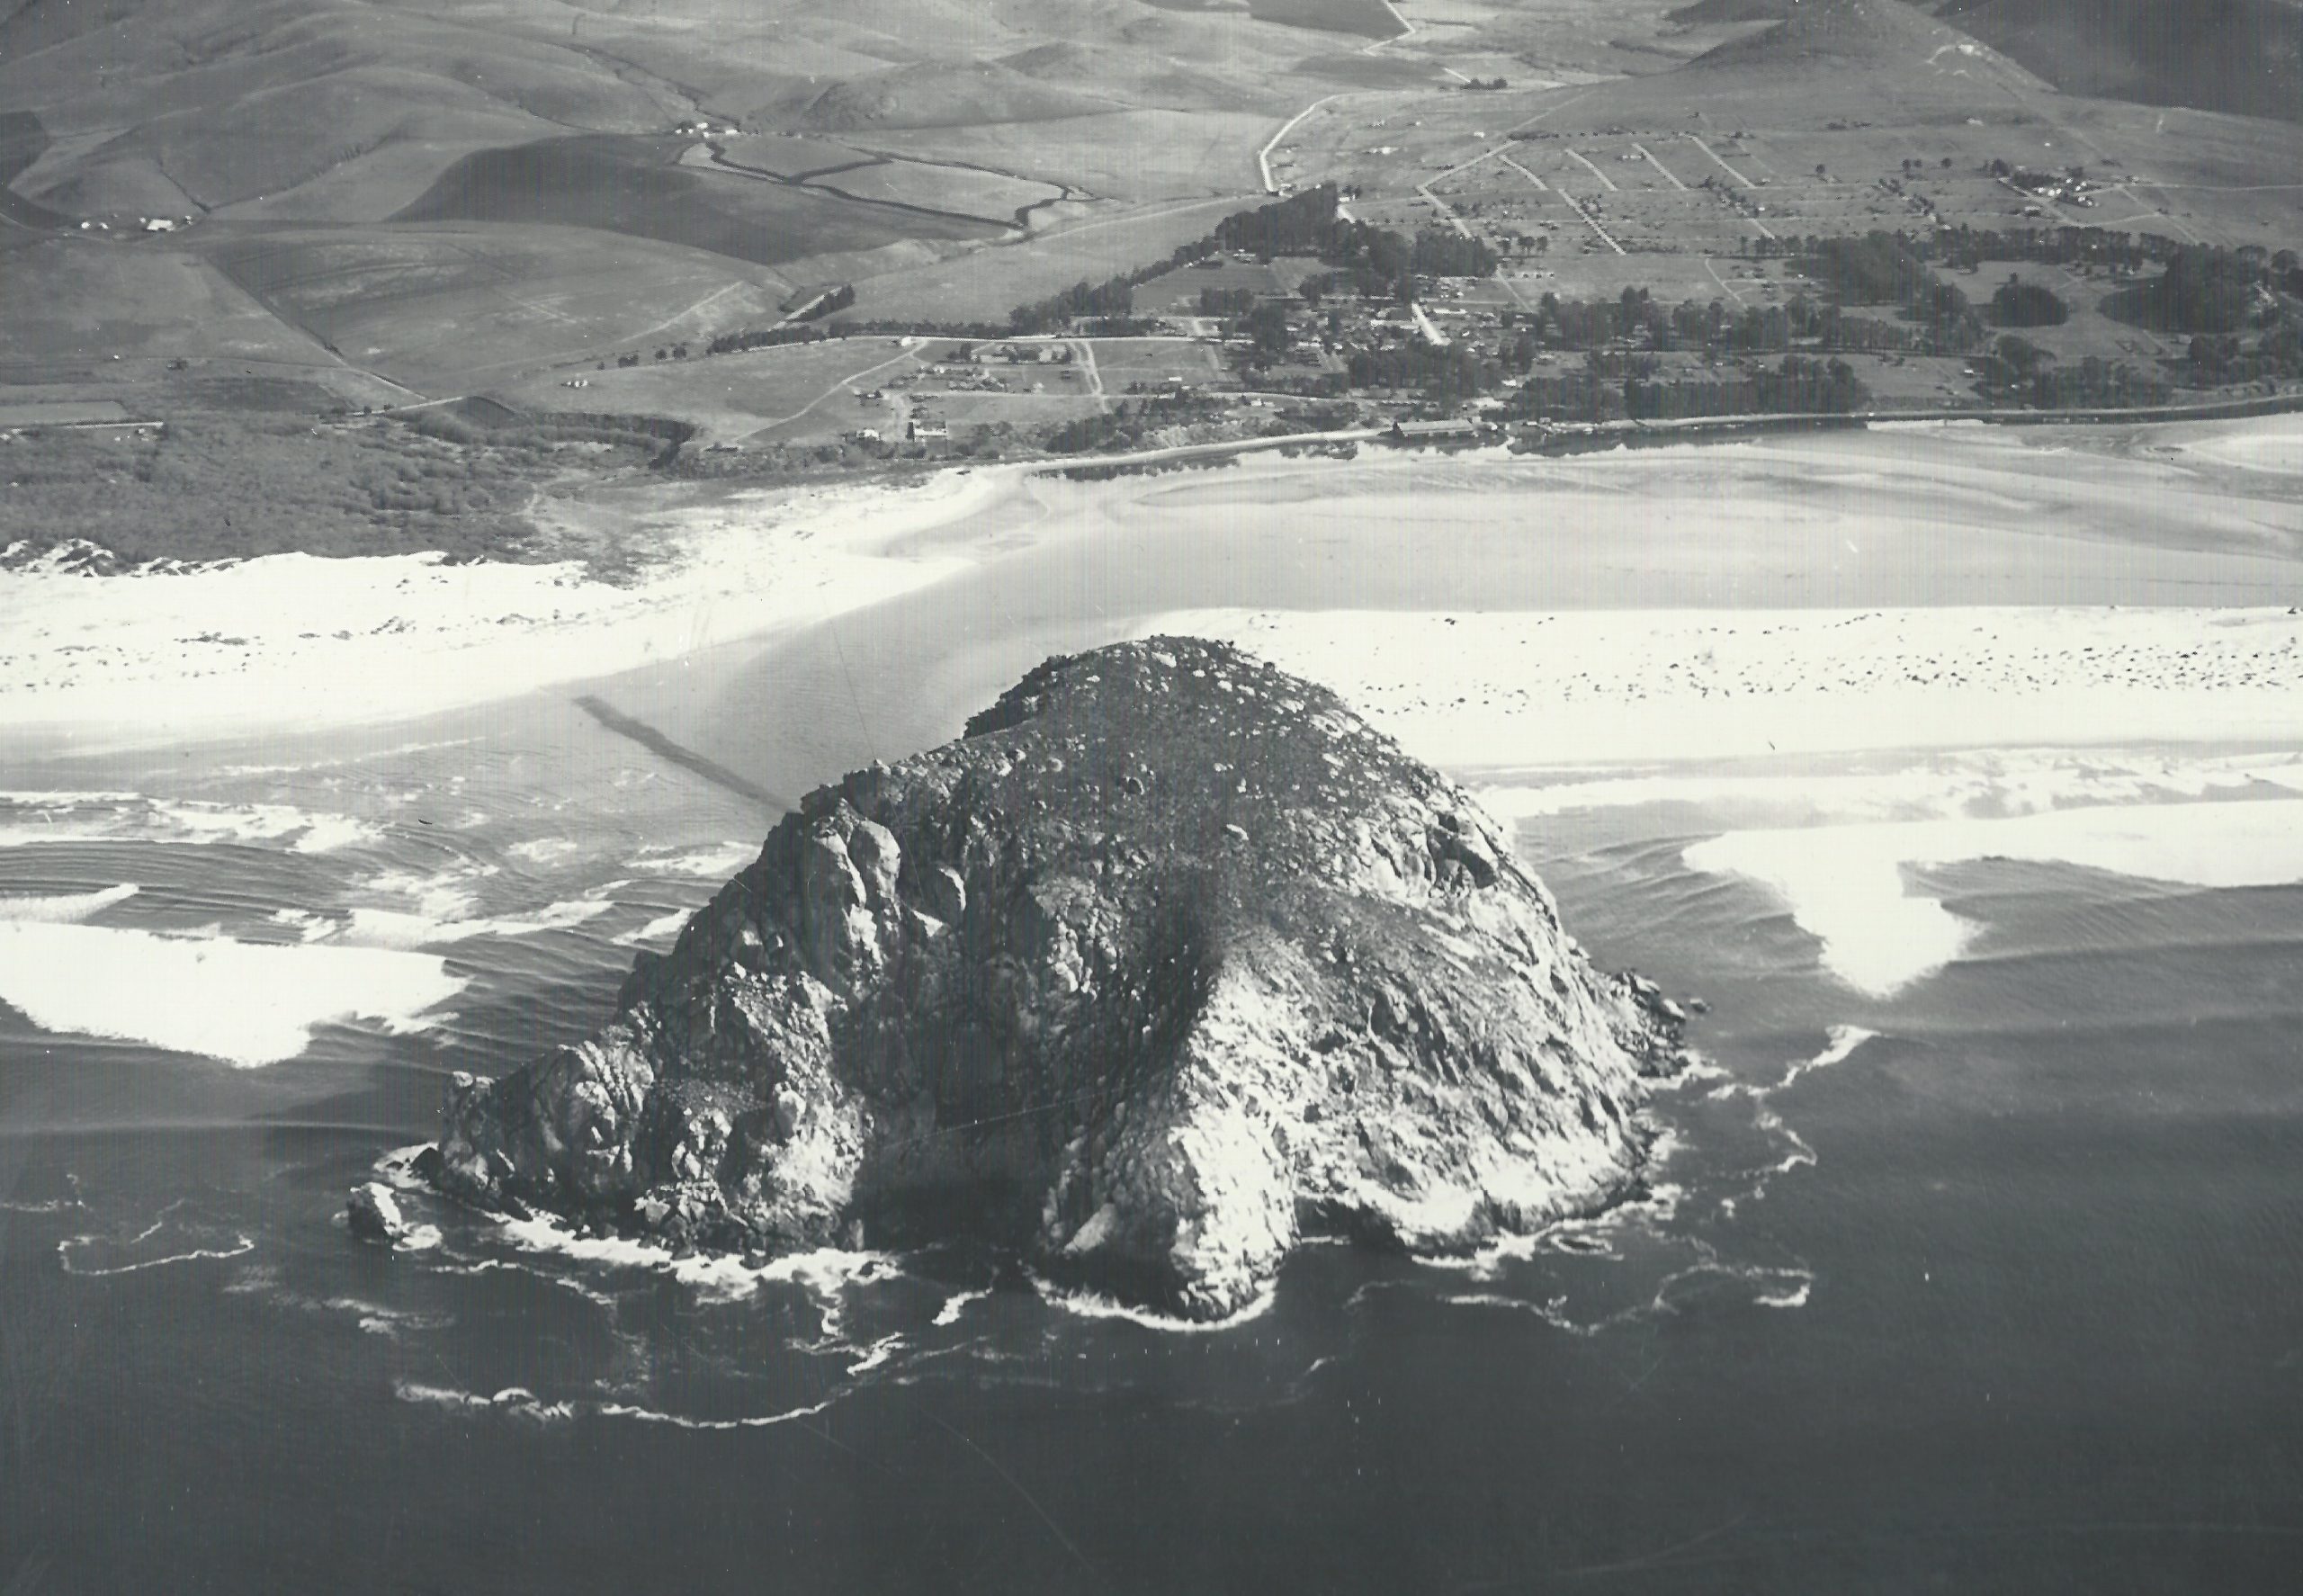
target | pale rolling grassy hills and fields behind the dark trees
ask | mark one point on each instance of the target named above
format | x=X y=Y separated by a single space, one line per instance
x=549 y=220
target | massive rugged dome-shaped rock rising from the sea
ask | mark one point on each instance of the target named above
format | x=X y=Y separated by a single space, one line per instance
x=1164 y=966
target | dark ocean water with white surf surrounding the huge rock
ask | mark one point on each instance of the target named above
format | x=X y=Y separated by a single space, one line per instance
x=1970 y=1270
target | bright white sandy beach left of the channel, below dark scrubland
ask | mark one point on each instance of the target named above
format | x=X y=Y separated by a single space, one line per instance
x=296 y=641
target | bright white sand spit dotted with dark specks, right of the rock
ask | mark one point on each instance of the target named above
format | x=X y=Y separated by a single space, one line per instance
x=1597 y=687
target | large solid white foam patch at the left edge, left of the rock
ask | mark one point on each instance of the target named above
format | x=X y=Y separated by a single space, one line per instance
x=241 y=1003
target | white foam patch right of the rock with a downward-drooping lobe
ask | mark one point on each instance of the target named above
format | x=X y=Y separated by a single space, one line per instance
x=1846 y=883
